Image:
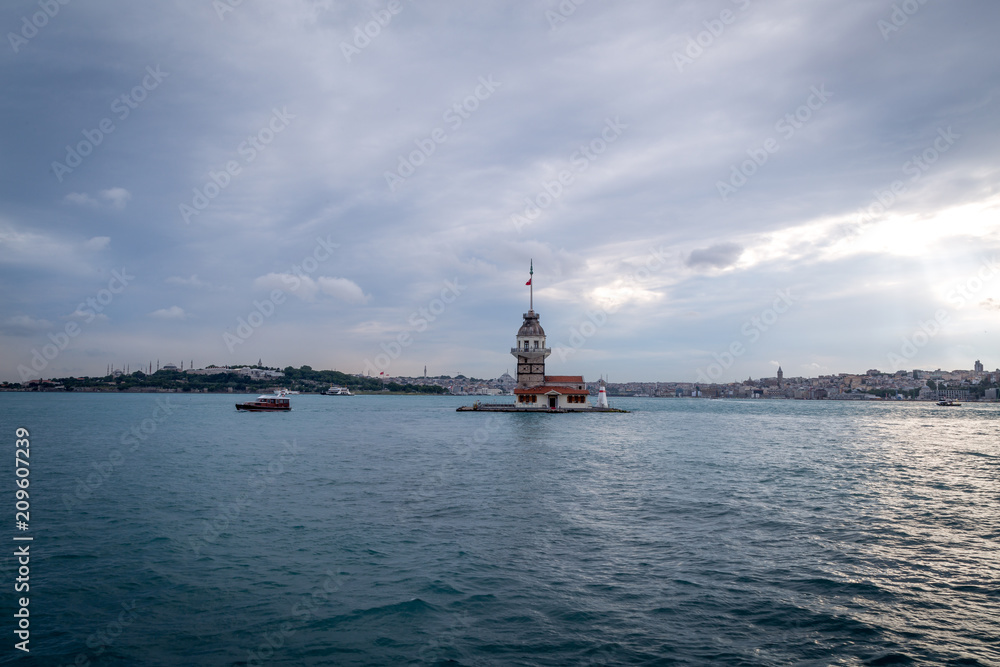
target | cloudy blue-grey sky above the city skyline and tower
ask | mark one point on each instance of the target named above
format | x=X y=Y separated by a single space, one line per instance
x=705 y=190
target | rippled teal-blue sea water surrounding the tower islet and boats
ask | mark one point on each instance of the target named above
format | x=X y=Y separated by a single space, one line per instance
x=393 y=530
